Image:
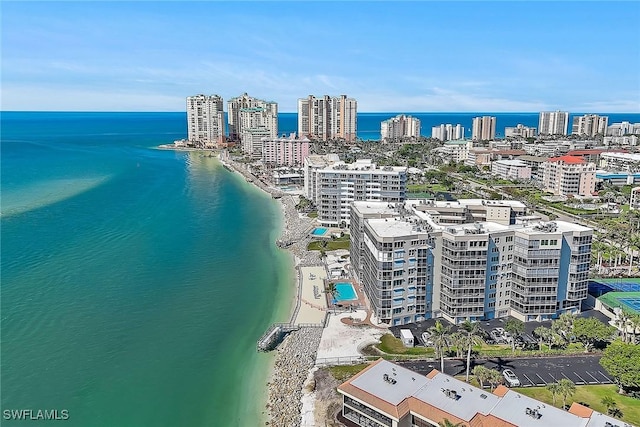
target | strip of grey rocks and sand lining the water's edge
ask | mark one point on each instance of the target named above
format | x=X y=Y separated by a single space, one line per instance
x=295 y=357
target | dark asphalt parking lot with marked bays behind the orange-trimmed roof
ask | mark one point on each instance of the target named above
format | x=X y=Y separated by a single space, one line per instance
x=532 y=372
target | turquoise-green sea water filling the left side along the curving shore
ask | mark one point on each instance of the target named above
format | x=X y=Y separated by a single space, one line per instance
x=126 y=296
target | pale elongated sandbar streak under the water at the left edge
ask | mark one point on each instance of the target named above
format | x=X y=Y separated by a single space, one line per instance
x=45 y=193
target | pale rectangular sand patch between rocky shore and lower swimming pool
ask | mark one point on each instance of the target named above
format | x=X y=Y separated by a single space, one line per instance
x=313 y=302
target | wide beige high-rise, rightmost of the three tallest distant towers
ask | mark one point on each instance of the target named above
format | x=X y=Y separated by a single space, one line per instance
x=328 y=117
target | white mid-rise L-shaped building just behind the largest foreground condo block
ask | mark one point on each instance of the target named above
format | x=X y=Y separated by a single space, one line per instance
x=333 y=185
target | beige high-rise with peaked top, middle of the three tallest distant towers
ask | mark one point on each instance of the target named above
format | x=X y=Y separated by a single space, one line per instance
x=252 y=115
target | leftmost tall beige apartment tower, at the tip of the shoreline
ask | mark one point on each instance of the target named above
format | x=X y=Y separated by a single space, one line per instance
x=205 y=120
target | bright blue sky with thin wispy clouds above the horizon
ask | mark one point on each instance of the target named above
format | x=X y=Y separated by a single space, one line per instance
x=390 y=56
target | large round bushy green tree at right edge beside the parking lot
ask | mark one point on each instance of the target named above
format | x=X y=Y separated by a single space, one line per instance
x=622 y=361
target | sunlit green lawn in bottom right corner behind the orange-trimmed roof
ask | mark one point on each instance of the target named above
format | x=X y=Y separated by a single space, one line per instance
x=592 y=395
